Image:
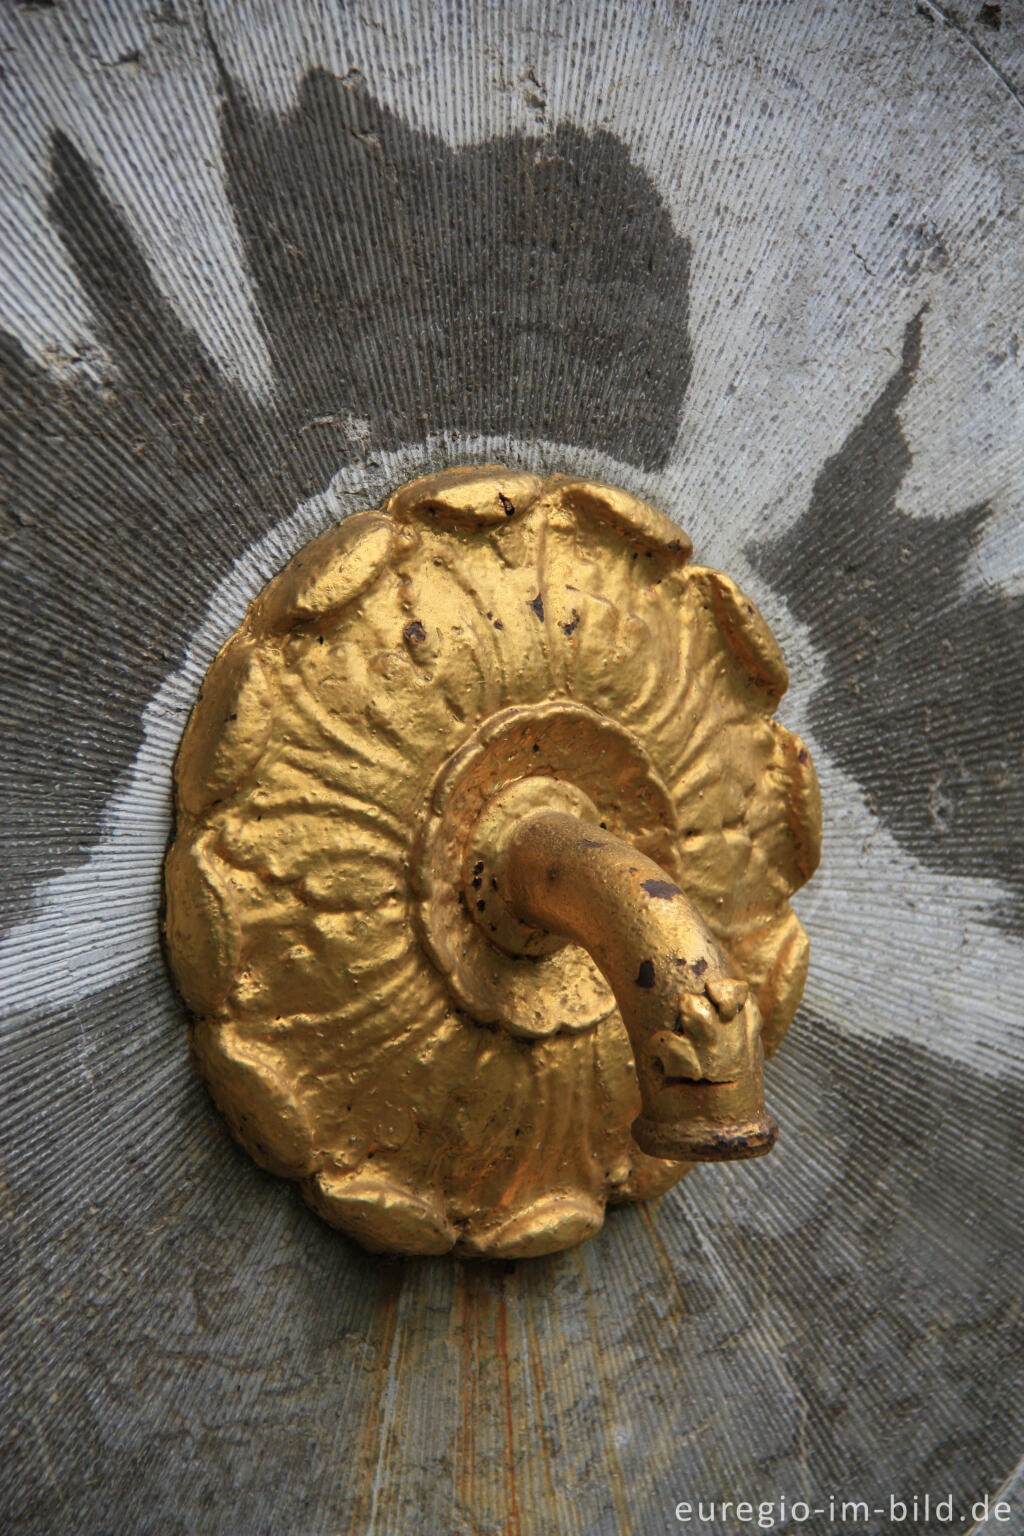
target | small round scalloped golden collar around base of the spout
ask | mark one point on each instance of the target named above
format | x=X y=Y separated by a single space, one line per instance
x=547 y=756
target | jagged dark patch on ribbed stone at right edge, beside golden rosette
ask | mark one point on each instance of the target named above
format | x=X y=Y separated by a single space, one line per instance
x=923 y=697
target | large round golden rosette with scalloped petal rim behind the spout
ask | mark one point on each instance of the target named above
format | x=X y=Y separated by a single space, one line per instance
x=365 y=1025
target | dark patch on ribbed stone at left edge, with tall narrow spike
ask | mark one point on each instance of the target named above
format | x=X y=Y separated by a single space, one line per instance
x=128 y=500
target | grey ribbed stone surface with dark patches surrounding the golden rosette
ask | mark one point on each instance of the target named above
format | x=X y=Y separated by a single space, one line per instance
x=762 y=263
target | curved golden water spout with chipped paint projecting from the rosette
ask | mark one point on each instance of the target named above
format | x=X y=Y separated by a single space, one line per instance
x=695 y=1028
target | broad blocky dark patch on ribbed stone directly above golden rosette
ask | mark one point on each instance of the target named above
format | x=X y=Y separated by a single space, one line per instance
x=532 y=286
